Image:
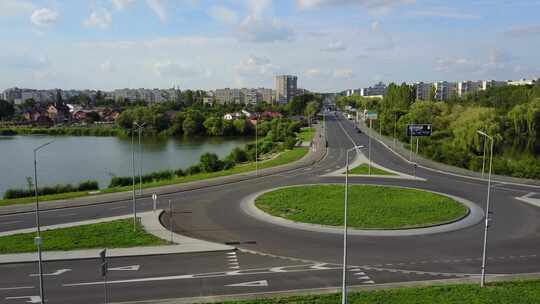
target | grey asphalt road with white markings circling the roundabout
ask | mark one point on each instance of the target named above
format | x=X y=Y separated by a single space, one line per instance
x=293 y=259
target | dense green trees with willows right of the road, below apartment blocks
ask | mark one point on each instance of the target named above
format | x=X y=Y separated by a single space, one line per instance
x=511 y=114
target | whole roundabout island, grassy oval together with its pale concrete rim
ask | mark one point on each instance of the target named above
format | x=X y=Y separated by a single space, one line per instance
x=374 y=210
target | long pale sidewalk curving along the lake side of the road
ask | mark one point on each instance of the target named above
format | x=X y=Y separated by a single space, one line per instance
x=313 y=156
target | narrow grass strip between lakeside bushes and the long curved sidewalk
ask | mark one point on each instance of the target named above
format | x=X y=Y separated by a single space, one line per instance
x=283 y=158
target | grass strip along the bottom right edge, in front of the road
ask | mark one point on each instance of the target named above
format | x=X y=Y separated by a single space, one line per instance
x=517 y=292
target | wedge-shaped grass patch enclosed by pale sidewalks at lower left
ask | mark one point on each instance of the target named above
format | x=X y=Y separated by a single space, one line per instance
x=115 y=234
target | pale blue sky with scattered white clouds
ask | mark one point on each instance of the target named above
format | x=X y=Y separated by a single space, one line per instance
x=331 y=45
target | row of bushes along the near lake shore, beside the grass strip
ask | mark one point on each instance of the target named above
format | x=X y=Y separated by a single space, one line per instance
x=277 y=135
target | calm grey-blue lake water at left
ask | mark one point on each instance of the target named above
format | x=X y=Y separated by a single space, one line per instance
x=71 y=159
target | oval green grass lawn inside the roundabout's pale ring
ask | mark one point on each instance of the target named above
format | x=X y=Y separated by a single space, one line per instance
x=370 y=207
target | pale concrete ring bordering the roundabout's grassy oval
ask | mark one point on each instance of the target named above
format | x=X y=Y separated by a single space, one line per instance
x=475 y=216
